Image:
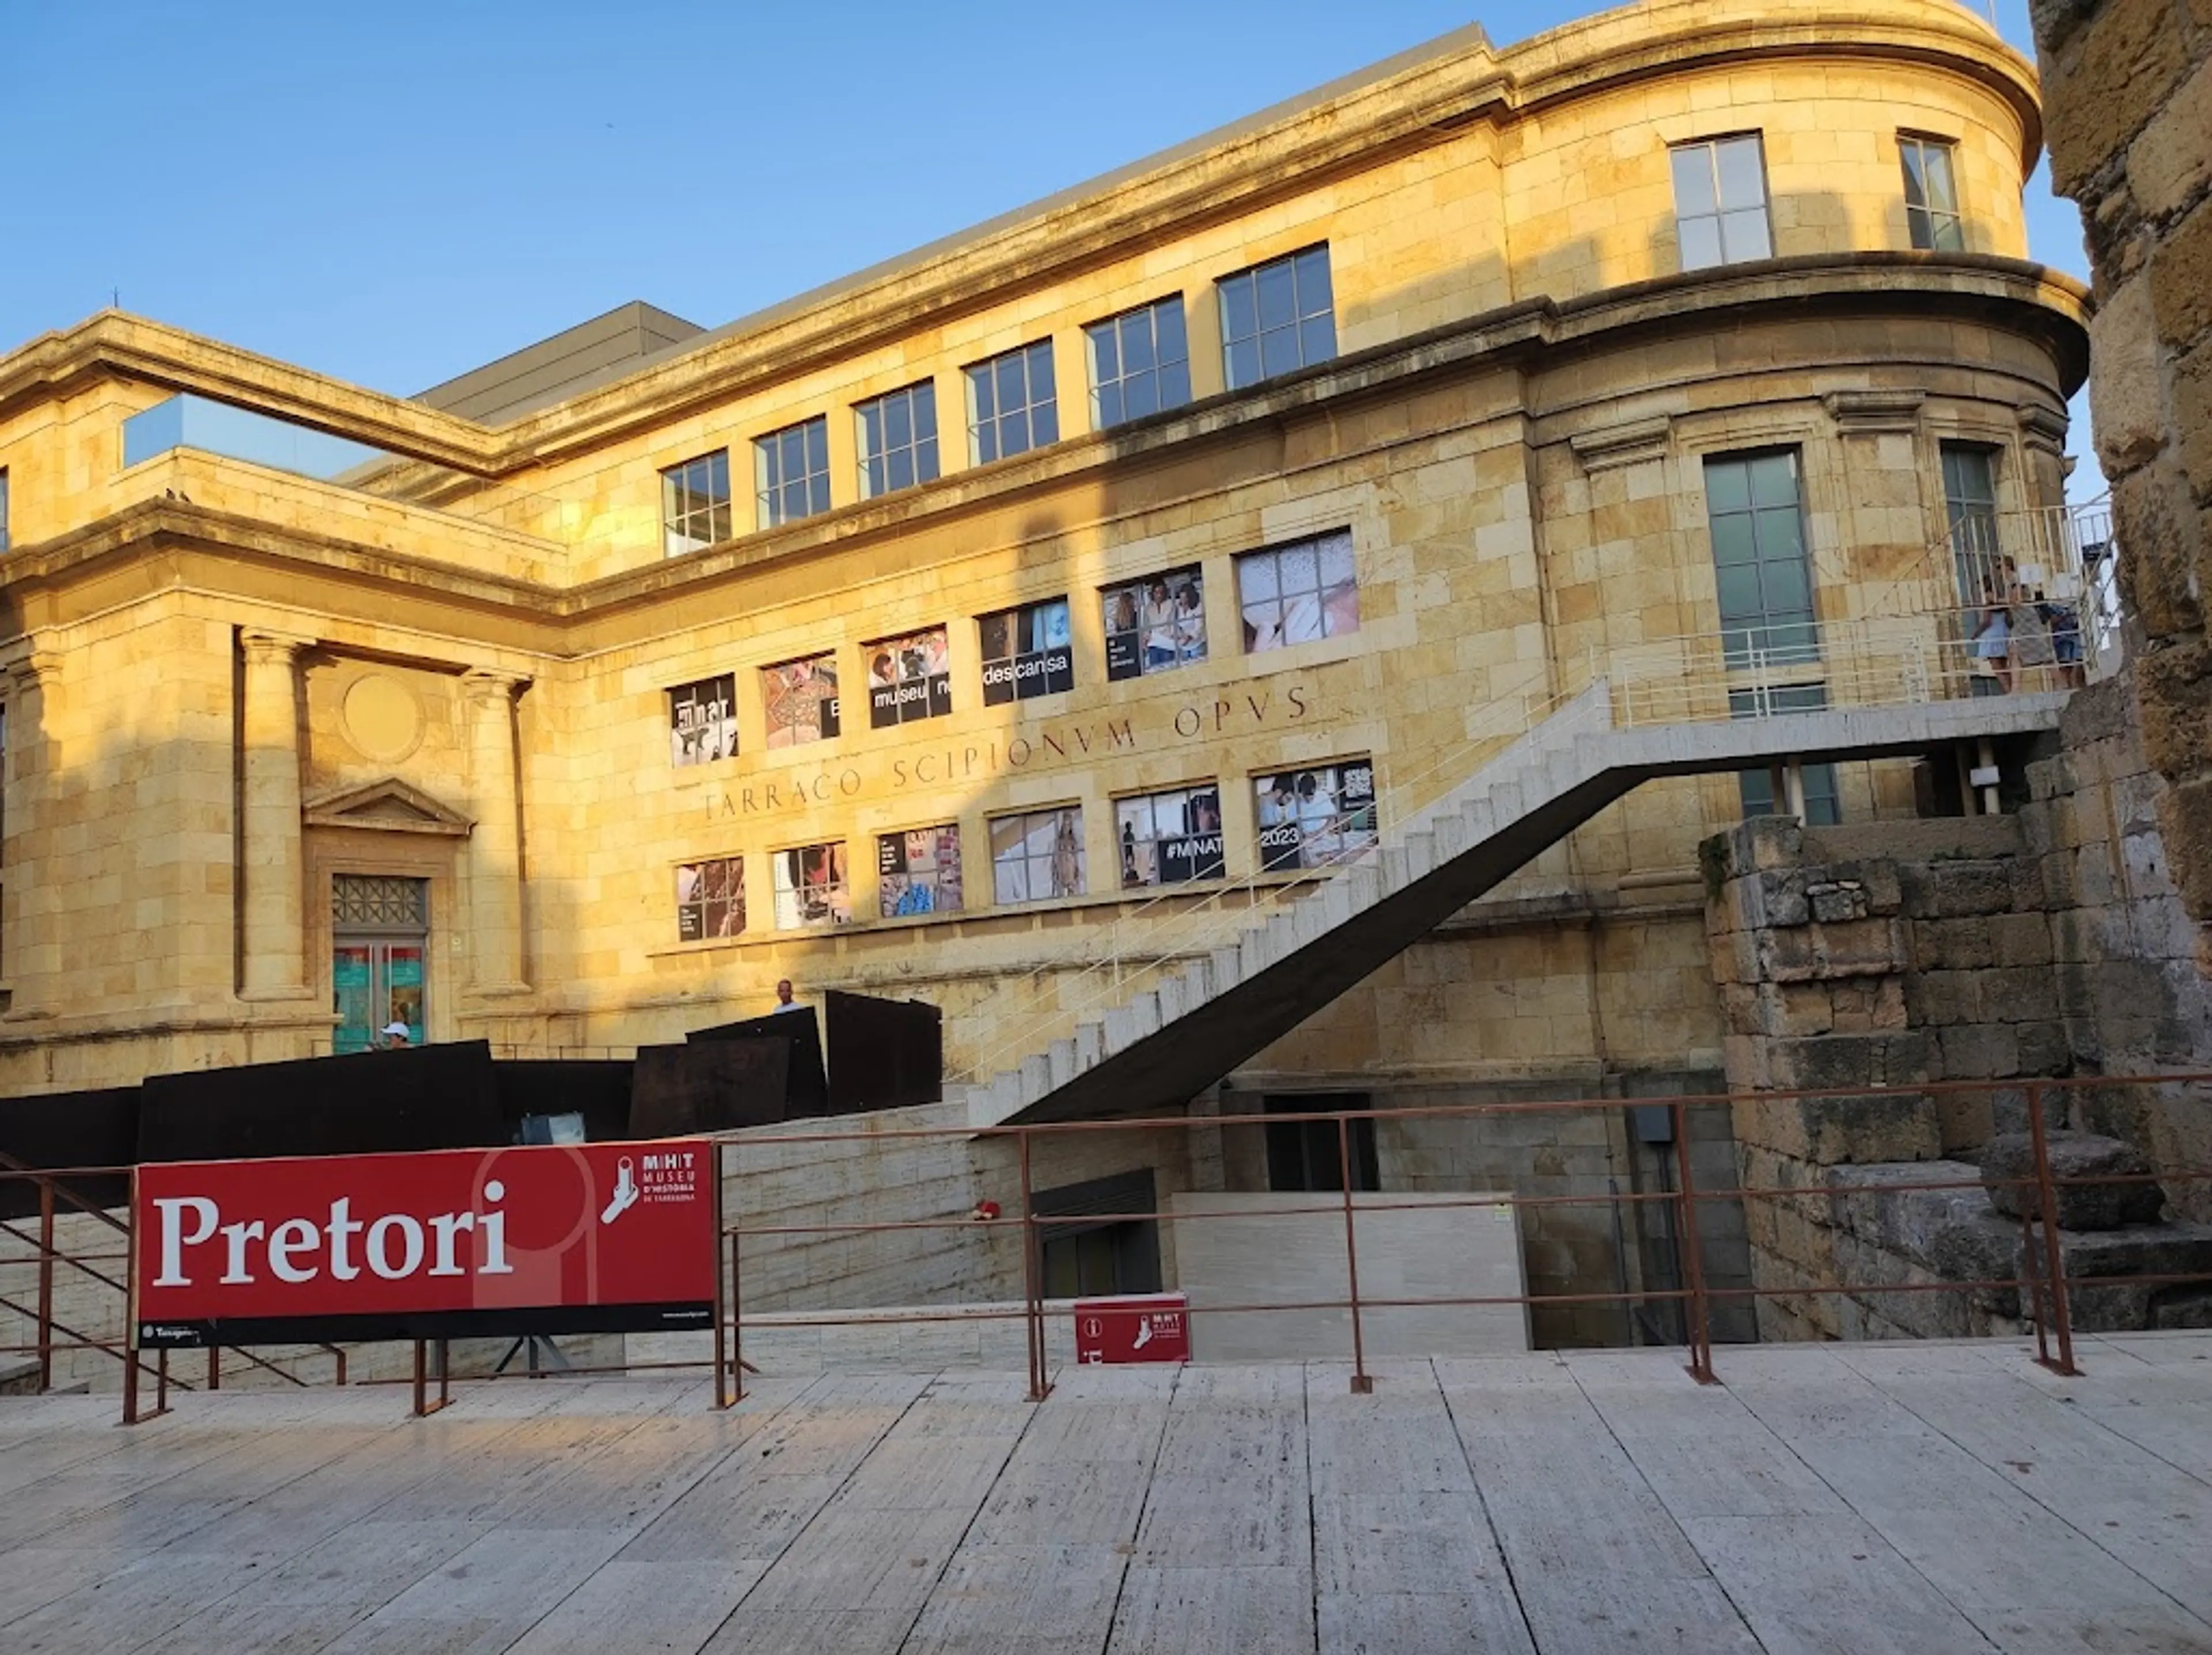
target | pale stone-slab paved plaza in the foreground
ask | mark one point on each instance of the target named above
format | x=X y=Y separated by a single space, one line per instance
x=1910 y=1499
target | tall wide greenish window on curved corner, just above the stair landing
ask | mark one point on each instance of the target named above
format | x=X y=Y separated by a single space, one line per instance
x=1760 y=559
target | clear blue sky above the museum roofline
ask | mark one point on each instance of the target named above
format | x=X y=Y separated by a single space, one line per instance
x=399 y=191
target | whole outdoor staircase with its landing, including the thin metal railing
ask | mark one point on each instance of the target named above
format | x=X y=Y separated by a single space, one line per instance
x=1211 y=983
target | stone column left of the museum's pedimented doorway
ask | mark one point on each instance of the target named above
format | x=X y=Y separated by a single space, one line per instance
x=273 y=913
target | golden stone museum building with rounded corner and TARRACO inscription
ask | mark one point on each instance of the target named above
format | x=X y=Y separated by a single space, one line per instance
x=1167 y=534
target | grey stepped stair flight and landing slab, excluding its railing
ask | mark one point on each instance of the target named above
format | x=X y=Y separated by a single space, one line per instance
x=1220 y=997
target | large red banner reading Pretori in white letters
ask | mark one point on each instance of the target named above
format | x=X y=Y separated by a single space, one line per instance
x=587 y=1238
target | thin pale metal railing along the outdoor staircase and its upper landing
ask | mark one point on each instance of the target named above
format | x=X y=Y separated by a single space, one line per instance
x=1733 y=674
